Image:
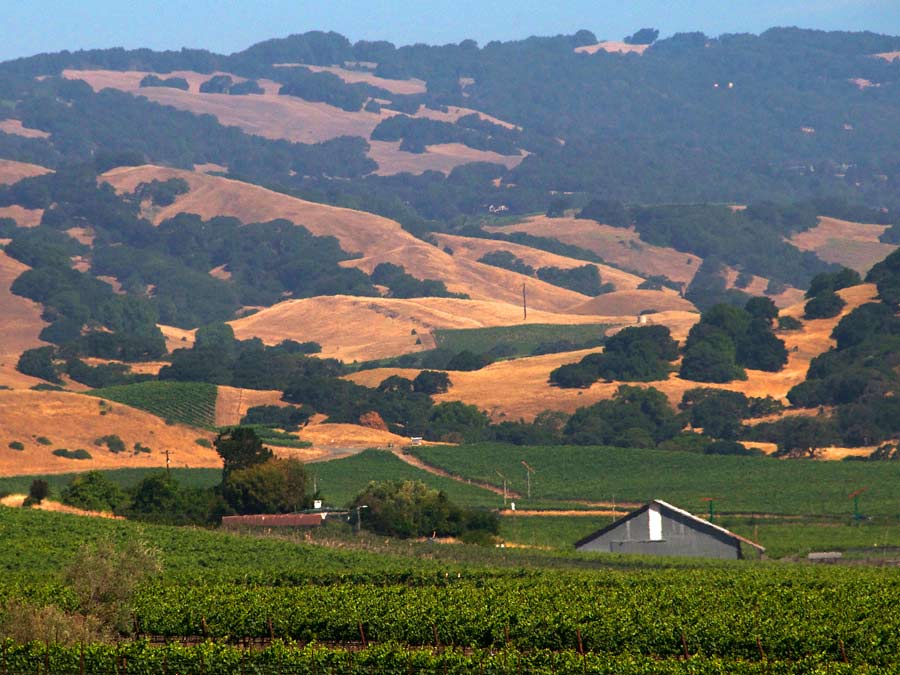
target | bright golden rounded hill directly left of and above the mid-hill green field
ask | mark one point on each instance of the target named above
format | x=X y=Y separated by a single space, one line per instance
x=361 y=329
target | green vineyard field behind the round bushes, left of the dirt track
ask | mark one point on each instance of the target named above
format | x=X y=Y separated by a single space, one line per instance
x=339 y=481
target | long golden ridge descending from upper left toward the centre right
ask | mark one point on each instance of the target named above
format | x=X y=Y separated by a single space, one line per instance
x=376 y=238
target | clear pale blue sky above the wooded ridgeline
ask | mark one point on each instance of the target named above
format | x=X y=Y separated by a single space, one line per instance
x=225 y=26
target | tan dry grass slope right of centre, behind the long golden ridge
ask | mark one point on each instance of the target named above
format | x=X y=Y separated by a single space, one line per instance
x=617 y=246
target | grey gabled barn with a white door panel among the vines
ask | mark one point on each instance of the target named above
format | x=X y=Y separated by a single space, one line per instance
x=658 y=528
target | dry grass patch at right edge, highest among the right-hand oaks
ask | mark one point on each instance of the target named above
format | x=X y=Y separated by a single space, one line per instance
x=854 y=245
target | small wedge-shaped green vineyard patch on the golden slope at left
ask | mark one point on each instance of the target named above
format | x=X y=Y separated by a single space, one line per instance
x=186 y=402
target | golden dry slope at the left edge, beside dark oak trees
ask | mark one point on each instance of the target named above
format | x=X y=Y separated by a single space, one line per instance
x=20 y=325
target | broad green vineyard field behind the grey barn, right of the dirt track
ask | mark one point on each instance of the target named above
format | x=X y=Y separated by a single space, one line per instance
x=737 y=484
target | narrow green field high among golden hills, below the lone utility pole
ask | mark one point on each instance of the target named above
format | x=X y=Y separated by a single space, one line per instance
x=522 y=339
